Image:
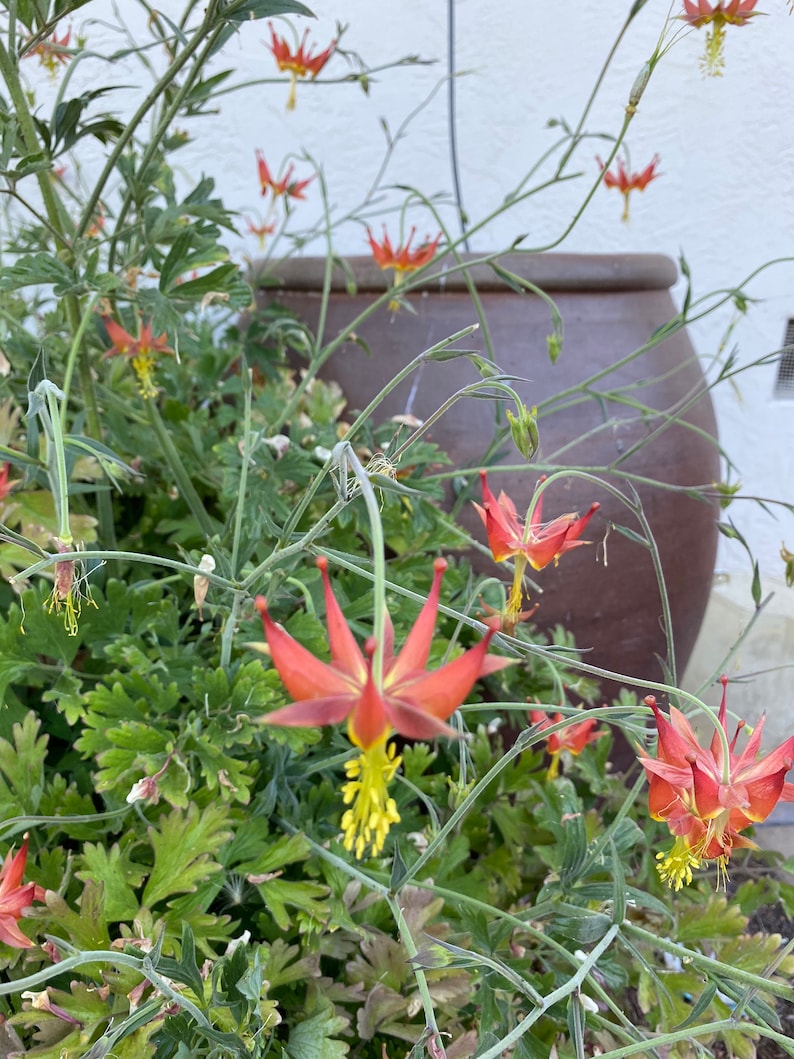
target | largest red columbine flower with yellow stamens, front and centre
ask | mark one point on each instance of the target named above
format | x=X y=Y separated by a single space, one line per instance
x=409 y=701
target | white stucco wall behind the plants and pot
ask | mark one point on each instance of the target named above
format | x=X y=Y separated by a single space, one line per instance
x=727 y=147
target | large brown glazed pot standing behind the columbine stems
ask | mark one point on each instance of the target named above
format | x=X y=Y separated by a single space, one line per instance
x=610 y=306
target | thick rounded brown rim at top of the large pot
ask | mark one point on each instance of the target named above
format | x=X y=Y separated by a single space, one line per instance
x=551 y=273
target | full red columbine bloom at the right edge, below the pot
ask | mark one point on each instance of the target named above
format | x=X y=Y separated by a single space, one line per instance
x=706 y=800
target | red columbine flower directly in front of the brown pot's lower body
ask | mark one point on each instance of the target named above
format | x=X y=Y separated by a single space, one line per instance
x=535 y=544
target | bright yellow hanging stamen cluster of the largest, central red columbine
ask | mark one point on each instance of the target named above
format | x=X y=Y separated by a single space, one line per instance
x=372 y=813
